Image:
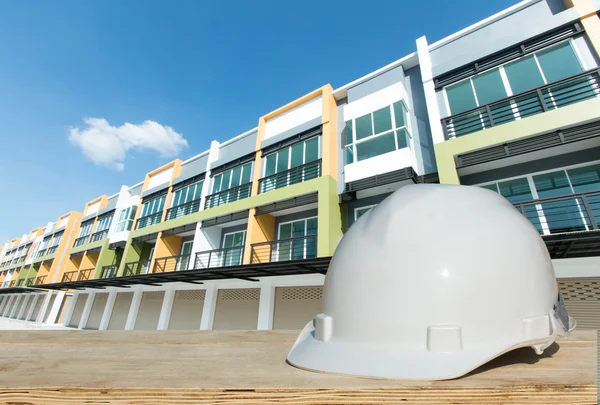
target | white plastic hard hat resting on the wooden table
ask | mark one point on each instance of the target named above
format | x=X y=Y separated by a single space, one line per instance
x=432 y=283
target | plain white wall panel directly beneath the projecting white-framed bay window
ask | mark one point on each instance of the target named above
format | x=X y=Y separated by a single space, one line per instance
x=385 y=163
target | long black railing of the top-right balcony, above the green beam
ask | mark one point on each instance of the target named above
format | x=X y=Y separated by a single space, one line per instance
x=555 y=95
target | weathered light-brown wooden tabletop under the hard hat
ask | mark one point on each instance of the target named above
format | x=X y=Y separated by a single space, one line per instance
x=248 y=367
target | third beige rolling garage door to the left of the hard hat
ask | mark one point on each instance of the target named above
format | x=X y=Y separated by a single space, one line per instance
x=186 y=313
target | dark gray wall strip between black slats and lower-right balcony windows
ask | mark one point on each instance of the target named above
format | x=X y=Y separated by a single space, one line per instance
x=554 y=162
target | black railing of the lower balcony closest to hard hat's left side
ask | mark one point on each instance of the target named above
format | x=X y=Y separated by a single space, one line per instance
x=304 y=247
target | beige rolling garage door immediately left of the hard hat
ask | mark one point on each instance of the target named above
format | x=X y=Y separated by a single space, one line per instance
x=296 y=306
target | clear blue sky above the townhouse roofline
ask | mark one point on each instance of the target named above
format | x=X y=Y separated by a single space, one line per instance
x=207 y=70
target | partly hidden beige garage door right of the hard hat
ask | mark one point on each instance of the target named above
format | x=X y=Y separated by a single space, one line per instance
x=582 y=298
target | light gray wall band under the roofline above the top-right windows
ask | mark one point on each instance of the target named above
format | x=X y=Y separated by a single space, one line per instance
x=533 y=20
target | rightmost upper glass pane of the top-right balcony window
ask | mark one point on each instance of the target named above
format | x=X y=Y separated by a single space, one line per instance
x=559 y=62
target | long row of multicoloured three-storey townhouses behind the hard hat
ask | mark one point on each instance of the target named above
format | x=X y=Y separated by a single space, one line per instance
x=241 y=235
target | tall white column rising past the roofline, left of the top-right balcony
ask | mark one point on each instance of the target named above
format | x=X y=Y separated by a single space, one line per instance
x=433 y=111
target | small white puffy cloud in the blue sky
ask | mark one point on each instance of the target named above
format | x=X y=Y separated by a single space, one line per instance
x=107 y=145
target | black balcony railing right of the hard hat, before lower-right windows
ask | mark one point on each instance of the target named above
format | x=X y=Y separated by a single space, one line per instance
x=567 y=213
